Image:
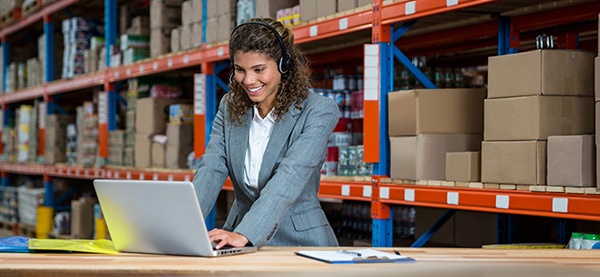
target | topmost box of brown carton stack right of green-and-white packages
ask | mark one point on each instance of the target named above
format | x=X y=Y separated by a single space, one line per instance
x=165 y=13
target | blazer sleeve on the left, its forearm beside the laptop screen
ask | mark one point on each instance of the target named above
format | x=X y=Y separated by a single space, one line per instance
x=212 y=172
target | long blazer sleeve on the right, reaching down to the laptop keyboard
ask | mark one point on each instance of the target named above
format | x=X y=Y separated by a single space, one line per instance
x=292 y=175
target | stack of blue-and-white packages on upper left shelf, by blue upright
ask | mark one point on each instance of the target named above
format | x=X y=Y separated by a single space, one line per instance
x=77 y=35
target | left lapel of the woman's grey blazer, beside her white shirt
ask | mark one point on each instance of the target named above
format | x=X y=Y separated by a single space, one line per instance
x=238 y=144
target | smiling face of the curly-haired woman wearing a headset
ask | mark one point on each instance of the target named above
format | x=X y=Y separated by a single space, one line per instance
x=259 y=76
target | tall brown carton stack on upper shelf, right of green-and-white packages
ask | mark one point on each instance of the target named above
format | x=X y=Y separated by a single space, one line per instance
x=165 y=15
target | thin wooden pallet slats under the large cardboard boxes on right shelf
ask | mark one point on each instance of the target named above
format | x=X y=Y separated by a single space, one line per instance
x=496 y=186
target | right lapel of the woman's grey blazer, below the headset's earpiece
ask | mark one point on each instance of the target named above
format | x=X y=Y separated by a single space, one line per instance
x=279 y=137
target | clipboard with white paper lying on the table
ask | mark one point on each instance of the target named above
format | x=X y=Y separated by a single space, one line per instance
x=366 y=255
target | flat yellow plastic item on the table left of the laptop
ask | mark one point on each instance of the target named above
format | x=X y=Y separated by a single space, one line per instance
x=101 y=246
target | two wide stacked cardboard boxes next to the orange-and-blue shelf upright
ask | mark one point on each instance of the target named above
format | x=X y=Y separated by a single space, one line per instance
x=426 y=124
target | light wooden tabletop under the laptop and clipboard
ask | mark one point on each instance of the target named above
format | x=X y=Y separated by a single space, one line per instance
x=282 y=261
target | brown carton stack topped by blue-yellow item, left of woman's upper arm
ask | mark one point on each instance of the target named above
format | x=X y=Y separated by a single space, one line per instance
x=180 y=135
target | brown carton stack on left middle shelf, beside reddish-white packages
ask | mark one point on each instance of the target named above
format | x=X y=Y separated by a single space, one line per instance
x=55 y=137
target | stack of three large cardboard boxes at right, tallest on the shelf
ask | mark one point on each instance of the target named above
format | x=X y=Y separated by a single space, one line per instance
x=534 y=95
